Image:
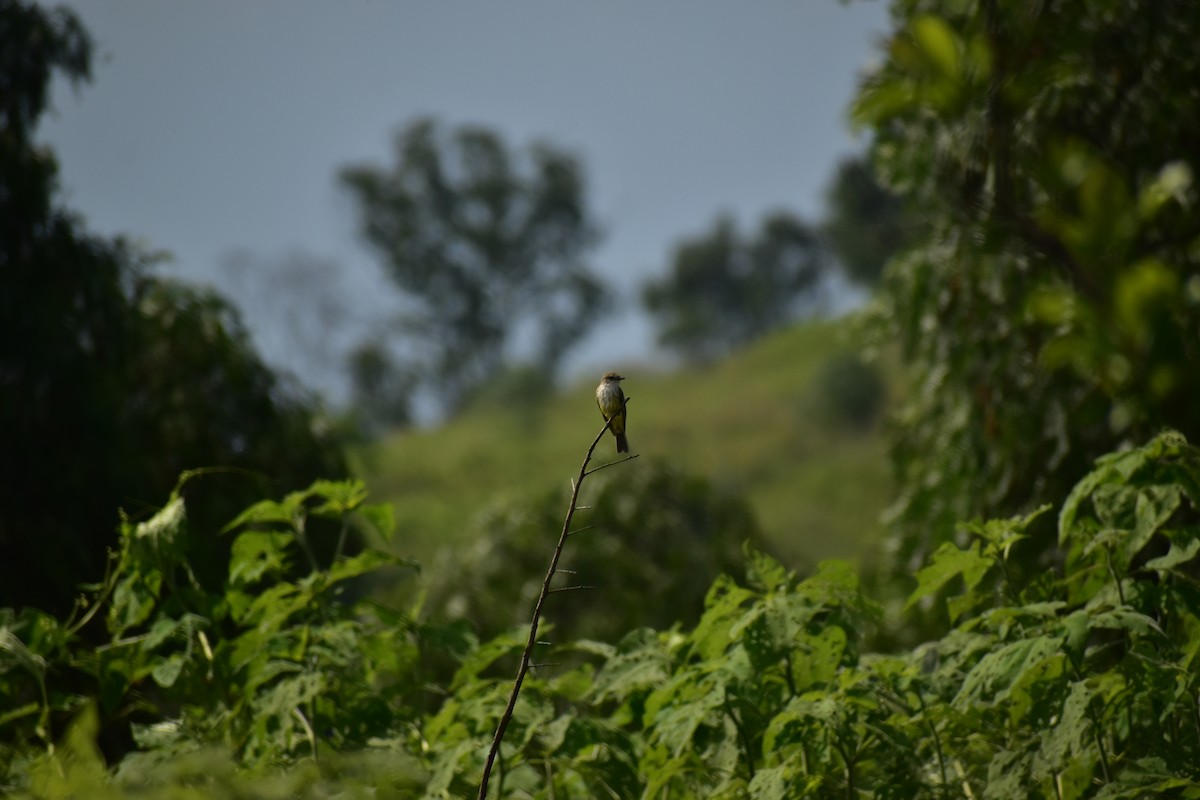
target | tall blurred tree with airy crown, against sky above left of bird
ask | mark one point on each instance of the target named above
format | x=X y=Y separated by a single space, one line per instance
x=483 y=248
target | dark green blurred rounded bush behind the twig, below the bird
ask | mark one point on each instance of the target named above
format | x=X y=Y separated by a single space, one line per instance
x=651 y=542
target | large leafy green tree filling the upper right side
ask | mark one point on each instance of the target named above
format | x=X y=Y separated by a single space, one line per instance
x=1051 y=310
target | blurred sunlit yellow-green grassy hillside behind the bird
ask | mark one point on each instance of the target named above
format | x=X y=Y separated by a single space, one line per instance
x=755 y=424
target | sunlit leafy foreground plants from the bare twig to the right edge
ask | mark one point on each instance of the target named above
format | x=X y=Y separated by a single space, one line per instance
x=1082 y=684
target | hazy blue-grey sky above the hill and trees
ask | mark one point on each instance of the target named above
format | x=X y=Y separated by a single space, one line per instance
x=215 y=130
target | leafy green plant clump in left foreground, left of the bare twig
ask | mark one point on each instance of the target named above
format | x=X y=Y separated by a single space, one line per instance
x=271 y=670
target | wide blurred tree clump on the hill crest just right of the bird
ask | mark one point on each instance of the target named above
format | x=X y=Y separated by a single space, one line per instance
x=724 y=291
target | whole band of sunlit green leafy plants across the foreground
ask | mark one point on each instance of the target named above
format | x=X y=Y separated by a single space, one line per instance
x=1081 y=683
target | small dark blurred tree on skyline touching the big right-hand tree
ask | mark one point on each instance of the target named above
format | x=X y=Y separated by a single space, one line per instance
x=866 y=224
